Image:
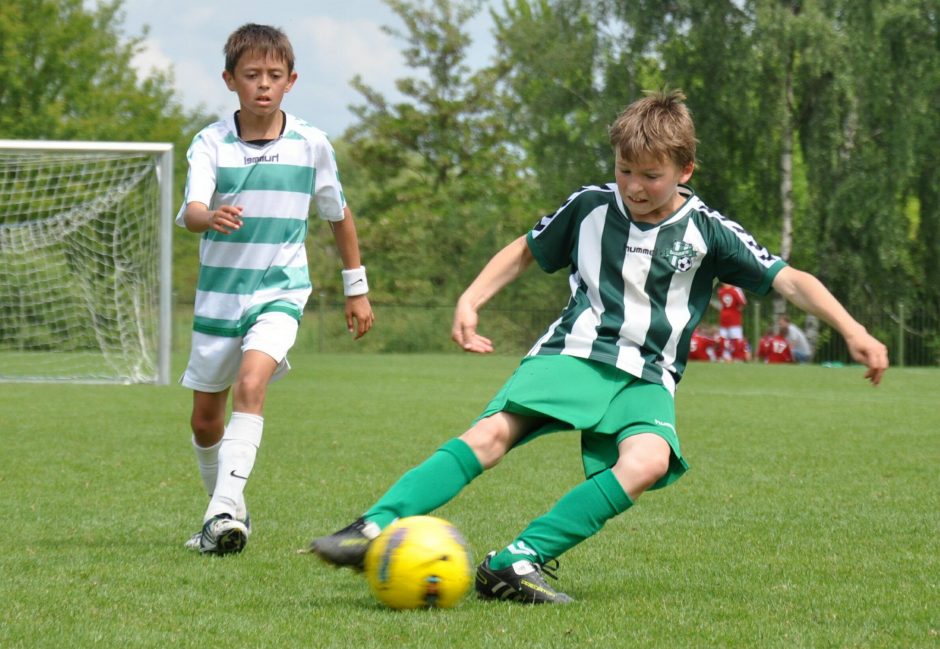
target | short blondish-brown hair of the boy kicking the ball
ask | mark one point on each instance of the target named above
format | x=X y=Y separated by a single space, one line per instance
x=659 y=125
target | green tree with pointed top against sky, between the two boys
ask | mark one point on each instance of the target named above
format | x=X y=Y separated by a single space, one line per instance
x=434 y=178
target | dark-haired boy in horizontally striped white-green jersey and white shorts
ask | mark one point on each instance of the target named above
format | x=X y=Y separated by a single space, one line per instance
x=251 y=179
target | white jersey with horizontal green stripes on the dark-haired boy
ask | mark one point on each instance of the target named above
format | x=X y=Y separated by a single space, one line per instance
x=263 y=265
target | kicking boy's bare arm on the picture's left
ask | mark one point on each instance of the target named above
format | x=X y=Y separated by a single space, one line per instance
x=505 y=266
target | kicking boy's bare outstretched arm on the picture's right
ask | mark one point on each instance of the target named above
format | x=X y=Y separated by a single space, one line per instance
x=808 y=293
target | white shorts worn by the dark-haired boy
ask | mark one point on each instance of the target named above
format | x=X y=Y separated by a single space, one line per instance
x=214 y=361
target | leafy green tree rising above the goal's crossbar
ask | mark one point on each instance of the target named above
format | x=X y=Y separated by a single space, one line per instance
x=66 y=74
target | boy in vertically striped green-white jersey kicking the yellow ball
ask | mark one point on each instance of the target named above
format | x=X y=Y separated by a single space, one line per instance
x=643 y=255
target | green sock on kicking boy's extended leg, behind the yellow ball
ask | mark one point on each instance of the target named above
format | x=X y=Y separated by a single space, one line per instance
x=429 y=485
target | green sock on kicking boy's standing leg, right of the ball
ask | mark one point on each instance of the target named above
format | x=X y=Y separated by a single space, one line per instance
x=579 y=514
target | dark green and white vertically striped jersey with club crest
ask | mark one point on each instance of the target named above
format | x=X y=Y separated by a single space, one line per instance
x=638 y=290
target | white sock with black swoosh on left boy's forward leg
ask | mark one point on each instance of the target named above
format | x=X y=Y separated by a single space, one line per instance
x=237 y=452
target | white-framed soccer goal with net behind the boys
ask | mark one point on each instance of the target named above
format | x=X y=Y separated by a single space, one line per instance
x=85 y=261
